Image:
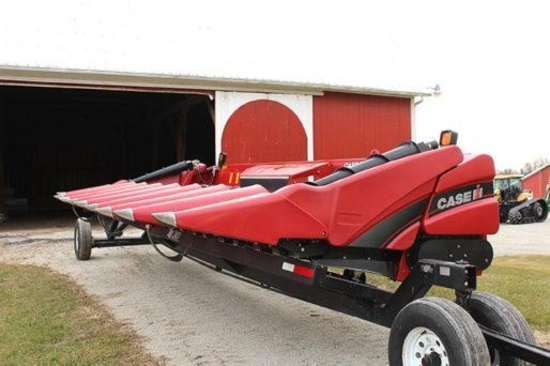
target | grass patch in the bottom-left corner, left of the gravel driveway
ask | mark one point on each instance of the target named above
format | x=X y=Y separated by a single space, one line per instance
x=46 y=319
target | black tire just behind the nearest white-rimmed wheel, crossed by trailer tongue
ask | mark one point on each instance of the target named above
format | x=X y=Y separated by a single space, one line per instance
x=499 y=315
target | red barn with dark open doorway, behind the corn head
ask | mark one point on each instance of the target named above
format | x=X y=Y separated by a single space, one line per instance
x=65 y=129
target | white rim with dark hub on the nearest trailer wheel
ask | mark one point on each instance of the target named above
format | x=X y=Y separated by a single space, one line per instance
x=423 y=347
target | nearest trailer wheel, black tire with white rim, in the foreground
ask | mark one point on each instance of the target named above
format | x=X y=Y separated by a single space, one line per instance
x=436 y=331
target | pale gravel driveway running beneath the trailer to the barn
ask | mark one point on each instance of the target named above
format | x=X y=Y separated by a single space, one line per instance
x=192 y=315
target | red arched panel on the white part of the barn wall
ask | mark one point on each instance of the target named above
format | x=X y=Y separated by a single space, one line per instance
x=264 y=131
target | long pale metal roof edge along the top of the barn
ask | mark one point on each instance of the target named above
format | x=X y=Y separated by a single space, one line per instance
x=97 y=78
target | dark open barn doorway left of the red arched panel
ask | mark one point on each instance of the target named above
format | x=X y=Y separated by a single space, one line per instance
x=55 y=139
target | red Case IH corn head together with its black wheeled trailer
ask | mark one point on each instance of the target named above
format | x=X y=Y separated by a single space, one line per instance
x=418 y=214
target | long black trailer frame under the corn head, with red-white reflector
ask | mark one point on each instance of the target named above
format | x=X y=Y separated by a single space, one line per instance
x=316 y=284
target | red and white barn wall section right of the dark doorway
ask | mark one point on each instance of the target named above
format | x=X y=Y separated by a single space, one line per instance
x=260 y=127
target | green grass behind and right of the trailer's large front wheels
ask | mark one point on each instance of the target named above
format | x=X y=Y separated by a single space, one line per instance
x=522 y=280
